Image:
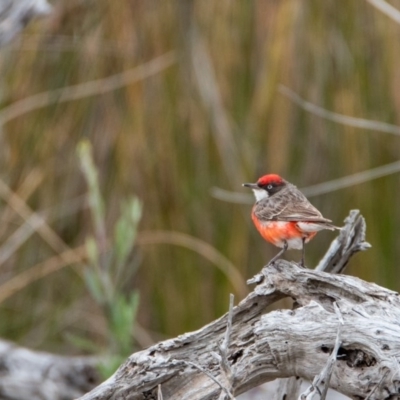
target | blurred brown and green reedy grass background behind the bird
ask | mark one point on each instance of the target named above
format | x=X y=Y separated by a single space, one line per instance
x=207 y=115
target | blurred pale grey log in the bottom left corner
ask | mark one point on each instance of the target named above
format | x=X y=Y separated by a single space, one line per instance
x=26 y=374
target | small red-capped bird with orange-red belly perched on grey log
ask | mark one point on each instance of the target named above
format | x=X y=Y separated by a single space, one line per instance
x=284 y=216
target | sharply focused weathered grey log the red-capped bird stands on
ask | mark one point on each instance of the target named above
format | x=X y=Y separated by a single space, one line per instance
x=361 y=318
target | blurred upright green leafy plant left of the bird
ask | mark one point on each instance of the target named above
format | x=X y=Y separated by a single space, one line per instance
x=106 y=267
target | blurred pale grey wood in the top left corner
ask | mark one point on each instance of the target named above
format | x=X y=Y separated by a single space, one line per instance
x=15 y=14
